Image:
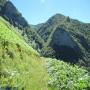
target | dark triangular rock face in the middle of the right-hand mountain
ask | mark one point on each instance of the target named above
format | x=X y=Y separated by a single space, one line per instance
x=65 y=46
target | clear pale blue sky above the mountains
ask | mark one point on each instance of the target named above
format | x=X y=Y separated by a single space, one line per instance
x=39 y=11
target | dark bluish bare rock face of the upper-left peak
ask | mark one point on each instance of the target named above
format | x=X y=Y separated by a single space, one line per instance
x=10 y=13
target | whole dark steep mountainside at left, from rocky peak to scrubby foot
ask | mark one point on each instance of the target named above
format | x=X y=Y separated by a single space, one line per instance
x=9 y=12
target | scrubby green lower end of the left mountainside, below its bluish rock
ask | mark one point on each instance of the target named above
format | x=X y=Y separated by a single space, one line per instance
x=33 y=38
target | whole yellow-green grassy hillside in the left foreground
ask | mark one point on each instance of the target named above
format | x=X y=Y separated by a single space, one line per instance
x=20 y=65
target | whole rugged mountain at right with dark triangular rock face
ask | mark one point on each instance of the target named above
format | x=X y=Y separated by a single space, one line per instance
x=66 y=39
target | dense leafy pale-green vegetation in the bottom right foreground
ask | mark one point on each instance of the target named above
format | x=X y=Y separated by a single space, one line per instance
x=64 y=76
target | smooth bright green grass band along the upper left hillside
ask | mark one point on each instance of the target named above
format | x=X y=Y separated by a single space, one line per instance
x=6 y=33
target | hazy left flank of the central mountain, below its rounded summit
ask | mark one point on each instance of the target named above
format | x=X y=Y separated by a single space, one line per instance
x=46 y=28
